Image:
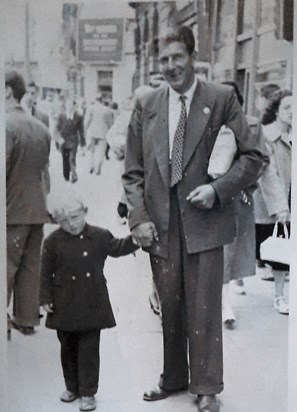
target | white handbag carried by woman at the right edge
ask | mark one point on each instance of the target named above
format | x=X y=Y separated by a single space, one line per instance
x=275 y=248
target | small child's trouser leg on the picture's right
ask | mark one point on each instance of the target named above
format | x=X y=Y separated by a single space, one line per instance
x=88 y=362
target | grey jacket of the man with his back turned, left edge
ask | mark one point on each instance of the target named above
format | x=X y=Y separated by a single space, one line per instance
x=27 y=156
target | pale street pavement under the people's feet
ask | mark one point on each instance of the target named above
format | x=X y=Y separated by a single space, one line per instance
x=255 y=352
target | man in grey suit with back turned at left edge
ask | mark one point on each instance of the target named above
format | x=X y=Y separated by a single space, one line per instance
x=27 y=156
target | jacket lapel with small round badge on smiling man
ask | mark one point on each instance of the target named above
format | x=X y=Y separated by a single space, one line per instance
x=198 y=118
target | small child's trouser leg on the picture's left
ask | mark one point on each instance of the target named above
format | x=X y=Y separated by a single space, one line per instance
x=69 y=359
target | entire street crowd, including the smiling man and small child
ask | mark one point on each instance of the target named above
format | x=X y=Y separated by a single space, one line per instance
x=201 y=185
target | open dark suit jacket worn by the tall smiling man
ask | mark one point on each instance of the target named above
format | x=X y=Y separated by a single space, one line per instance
x=146 y=177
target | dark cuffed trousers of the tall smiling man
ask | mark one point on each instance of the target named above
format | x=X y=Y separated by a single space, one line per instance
x=190 y=289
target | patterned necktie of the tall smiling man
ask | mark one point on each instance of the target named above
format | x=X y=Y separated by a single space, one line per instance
x=177 y=147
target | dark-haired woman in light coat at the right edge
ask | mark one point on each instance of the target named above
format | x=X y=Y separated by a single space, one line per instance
x=272 y=198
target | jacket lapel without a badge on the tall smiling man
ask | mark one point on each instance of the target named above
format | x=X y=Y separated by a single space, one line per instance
x=160 y=134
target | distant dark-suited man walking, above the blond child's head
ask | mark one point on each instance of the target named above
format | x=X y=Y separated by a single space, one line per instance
x=69 y=131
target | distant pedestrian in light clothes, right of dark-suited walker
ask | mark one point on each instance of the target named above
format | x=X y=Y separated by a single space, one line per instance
x=100 y=120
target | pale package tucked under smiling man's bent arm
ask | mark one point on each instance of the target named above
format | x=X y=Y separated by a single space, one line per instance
x=223 y=153
